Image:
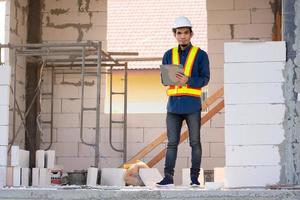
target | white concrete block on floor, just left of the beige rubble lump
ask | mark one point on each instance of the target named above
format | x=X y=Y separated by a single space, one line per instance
x=112 y=176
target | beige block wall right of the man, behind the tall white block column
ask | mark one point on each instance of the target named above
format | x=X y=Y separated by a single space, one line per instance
x=231 y=20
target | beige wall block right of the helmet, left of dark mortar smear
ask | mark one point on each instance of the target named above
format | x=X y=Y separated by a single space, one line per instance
x=218 y=32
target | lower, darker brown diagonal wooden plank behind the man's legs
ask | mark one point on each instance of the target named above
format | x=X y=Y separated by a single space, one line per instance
x=184 y=135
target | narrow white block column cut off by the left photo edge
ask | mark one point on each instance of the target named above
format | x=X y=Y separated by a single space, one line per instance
x=5 y=74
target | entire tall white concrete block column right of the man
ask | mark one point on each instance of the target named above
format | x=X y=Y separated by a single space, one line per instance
x=254 y=112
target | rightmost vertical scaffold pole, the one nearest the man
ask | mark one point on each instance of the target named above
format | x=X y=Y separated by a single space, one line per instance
x=125 y=115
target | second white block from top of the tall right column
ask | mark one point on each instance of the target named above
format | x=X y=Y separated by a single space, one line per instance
x=254 y=72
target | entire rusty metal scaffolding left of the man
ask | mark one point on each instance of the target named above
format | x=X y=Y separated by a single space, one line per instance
x=84 y=58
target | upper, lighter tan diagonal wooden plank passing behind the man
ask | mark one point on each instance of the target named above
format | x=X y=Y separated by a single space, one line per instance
x=160 y=139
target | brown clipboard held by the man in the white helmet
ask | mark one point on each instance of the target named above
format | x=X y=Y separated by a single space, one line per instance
x=168 y=74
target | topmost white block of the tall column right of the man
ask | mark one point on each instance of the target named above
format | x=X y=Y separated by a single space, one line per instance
x=254 y=51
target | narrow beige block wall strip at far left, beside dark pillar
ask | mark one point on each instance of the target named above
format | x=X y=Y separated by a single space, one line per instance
x=16 y=18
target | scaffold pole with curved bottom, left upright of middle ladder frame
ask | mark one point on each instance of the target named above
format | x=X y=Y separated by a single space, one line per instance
x=82 y=98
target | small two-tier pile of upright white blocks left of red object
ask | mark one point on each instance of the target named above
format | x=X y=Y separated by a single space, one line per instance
x=41 y=174
